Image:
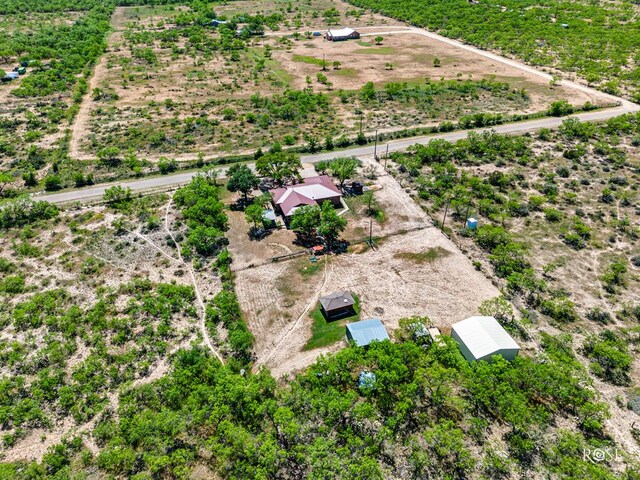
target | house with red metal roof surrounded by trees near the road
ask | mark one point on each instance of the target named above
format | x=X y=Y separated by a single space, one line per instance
x=312 y=191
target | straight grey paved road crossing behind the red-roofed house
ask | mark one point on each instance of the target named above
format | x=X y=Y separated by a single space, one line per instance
x=167 y=182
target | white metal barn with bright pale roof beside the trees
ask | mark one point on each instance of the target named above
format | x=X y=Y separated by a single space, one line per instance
x=482 y=337
